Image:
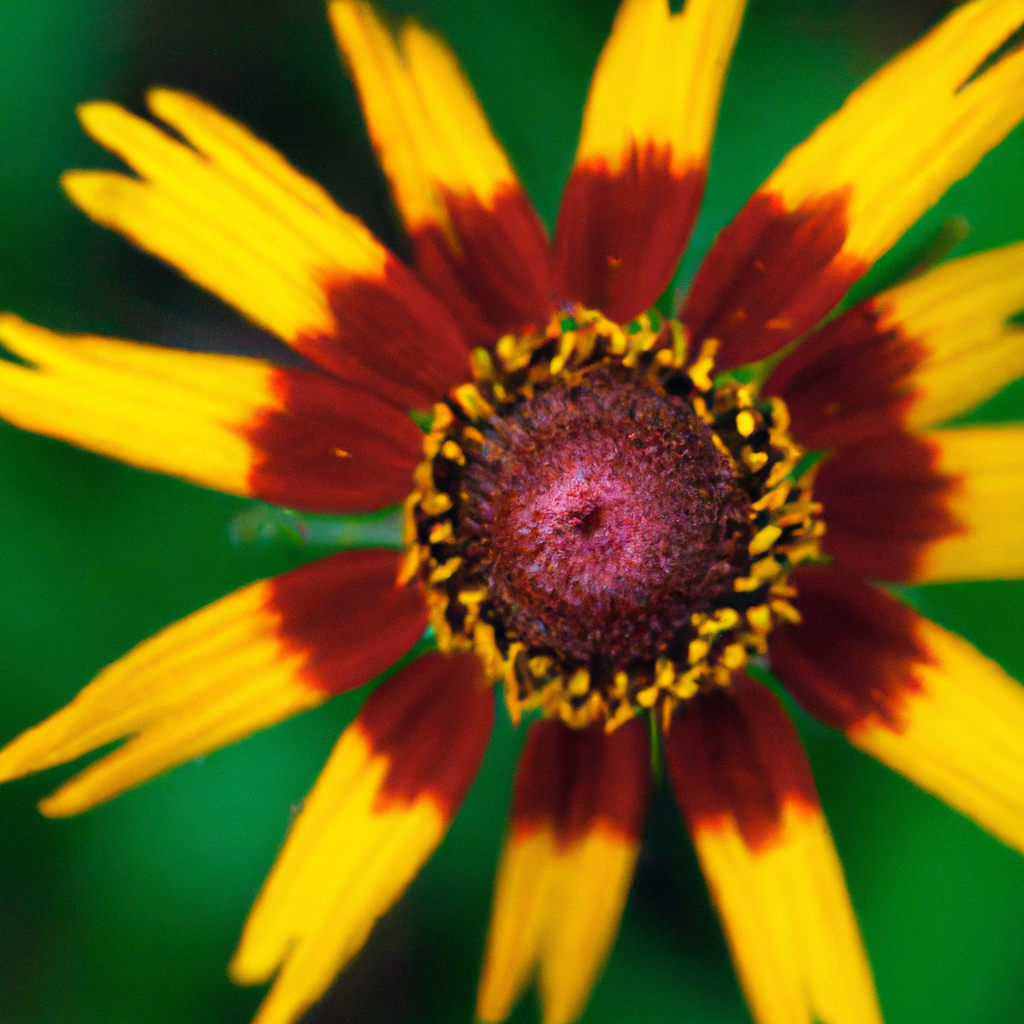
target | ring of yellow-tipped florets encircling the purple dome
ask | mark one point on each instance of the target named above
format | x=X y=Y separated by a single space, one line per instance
x=785 y=526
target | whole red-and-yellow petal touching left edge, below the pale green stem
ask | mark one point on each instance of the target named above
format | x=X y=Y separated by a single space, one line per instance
x=255 y=658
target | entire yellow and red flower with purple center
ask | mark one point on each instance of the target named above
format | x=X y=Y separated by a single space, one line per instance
x=569 y=423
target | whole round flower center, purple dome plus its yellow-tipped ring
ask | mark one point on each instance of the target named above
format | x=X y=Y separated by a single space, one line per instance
x=606 y=528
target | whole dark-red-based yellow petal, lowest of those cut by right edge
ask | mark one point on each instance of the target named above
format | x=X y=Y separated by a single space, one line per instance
x=916 y=697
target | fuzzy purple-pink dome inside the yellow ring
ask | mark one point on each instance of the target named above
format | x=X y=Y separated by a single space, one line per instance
x=608 y=518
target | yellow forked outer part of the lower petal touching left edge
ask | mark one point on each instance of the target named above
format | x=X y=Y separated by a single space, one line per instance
x=205 y=682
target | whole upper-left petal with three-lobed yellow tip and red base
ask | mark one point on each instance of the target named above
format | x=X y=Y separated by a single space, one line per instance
x=234 y=217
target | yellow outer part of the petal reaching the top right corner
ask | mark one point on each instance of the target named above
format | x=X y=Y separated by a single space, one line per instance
x=913 y=130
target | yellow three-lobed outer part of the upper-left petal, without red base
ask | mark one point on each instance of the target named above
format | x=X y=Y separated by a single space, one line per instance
x=238 y=220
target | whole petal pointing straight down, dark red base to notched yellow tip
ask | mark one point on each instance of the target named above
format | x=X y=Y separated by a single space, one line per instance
x=577 y=818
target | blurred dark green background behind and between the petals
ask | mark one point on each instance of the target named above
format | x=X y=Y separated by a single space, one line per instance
x=130 y=914
